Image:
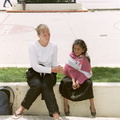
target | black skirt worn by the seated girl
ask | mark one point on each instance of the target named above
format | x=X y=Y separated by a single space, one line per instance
x=84 y=92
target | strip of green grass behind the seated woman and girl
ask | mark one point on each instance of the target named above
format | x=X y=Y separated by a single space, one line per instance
x=100 y=74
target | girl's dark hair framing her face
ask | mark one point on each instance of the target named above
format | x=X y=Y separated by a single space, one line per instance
x=81 y=43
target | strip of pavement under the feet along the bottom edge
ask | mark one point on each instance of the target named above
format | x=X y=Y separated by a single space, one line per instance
x=50 y=118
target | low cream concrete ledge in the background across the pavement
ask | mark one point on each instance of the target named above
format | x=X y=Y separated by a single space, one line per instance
x=71 y=7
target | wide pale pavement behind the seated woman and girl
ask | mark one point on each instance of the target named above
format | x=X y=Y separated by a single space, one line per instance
x=100 y=30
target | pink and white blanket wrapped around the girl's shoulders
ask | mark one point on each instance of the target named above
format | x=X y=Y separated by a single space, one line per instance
x=78 y=68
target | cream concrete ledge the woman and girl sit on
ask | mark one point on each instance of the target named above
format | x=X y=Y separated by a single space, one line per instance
x=107 y=100
